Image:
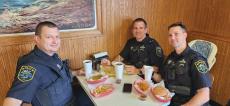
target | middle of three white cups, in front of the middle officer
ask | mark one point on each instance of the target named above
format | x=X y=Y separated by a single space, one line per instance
x=119 y=68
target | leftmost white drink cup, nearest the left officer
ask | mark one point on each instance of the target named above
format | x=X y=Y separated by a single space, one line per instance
x=88 y=68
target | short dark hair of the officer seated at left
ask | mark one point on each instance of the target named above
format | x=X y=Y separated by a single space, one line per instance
x=42 y=24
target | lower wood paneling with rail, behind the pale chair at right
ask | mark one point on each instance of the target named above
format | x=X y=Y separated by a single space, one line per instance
x=220 y=89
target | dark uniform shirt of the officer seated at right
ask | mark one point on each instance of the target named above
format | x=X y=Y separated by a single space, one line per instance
x=188 y=69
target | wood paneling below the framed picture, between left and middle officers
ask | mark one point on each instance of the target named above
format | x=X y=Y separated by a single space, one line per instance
x=80 y=49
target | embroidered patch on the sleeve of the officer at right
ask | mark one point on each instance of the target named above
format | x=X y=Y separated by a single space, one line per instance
x=201 y=66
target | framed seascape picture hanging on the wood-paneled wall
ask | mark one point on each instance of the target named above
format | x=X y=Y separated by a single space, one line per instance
x=22 y=16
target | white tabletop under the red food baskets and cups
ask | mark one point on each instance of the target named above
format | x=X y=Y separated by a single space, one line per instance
x=117 y=97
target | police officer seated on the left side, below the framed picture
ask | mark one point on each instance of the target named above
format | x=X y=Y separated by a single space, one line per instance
x=42 y=78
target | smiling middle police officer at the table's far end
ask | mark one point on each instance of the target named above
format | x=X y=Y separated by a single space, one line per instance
x=140 y=50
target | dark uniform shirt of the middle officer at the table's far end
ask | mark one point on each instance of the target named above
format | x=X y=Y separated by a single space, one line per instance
x=146 y=52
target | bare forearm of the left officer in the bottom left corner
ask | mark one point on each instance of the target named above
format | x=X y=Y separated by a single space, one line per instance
x=12 y=102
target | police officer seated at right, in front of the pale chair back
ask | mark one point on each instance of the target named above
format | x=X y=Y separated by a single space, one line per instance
x=185 y=71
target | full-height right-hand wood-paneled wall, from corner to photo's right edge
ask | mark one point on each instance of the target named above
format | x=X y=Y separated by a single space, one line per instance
x=212 y=22
